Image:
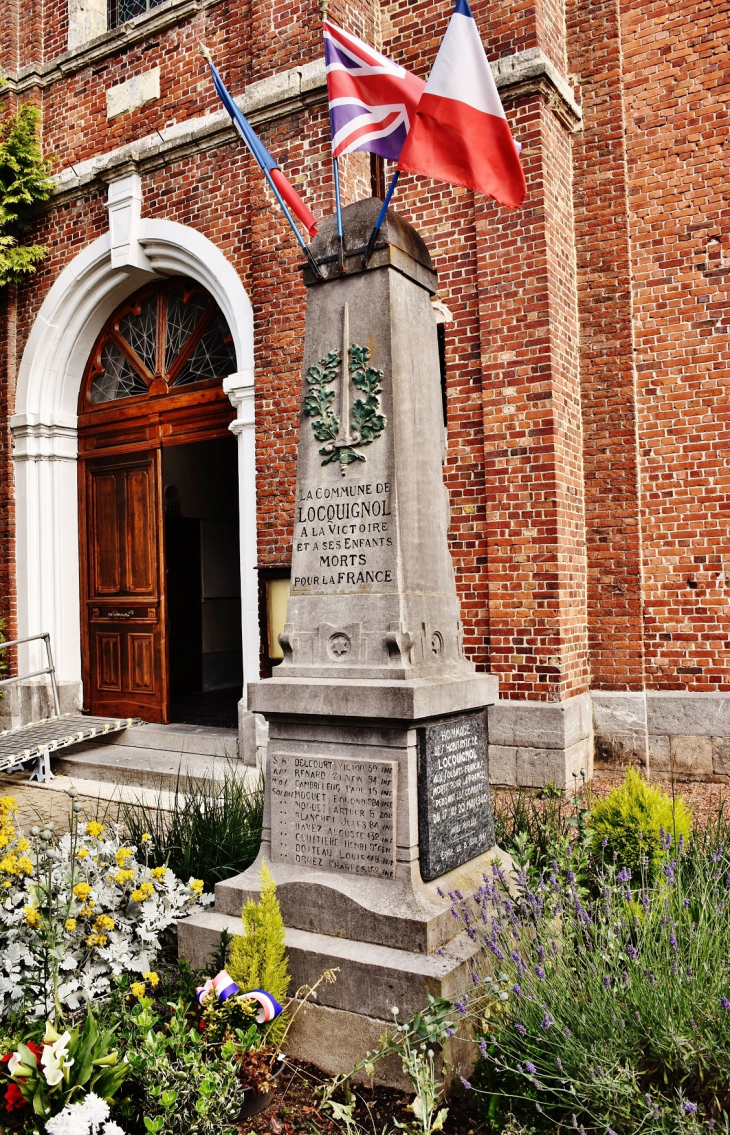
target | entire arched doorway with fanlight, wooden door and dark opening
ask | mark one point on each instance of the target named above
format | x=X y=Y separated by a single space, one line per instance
x=160 y=573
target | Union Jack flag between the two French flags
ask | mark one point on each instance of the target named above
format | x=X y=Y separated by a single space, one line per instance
x=372 y=100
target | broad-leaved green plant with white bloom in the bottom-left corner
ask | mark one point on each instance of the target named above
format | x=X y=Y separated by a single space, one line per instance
x=81 y=1061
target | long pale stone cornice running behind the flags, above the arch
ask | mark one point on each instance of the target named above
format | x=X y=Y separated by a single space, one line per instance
x=289 y=93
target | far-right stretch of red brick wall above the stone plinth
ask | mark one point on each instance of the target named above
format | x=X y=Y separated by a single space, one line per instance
x=678 y=115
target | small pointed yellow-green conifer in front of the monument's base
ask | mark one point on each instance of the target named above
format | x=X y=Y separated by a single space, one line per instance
x=258 y=956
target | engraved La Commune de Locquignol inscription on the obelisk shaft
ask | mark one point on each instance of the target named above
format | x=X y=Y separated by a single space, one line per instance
x=345 y=539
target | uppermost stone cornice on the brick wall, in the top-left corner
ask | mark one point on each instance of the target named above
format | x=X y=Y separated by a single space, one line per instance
x=111 y=44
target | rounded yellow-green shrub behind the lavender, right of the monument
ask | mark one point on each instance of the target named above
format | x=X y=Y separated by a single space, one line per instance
x=635 y=818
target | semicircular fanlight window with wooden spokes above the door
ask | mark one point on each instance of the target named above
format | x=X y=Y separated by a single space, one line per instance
x=166 y=337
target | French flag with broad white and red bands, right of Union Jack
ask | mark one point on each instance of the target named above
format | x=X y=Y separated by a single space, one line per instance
x=460 y=134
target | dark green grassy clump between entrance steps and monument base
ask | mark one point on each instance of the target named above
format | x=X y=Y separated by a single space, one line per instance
x=213 y=833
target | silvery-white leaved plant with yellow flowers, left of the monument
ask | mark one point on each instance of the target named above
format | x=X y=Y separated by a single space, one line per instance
x=96 y=906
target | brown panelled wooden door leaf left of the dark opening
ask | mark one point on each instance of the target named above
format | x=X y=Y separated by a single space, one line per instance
x=124 y=606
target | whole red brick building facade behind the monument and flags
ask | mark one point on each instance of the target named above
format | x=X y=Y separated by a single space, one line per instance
x=589 y=350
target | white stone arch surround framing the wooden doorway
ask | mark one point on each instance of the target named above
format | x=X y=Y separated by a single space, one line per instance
x=45 y=425
